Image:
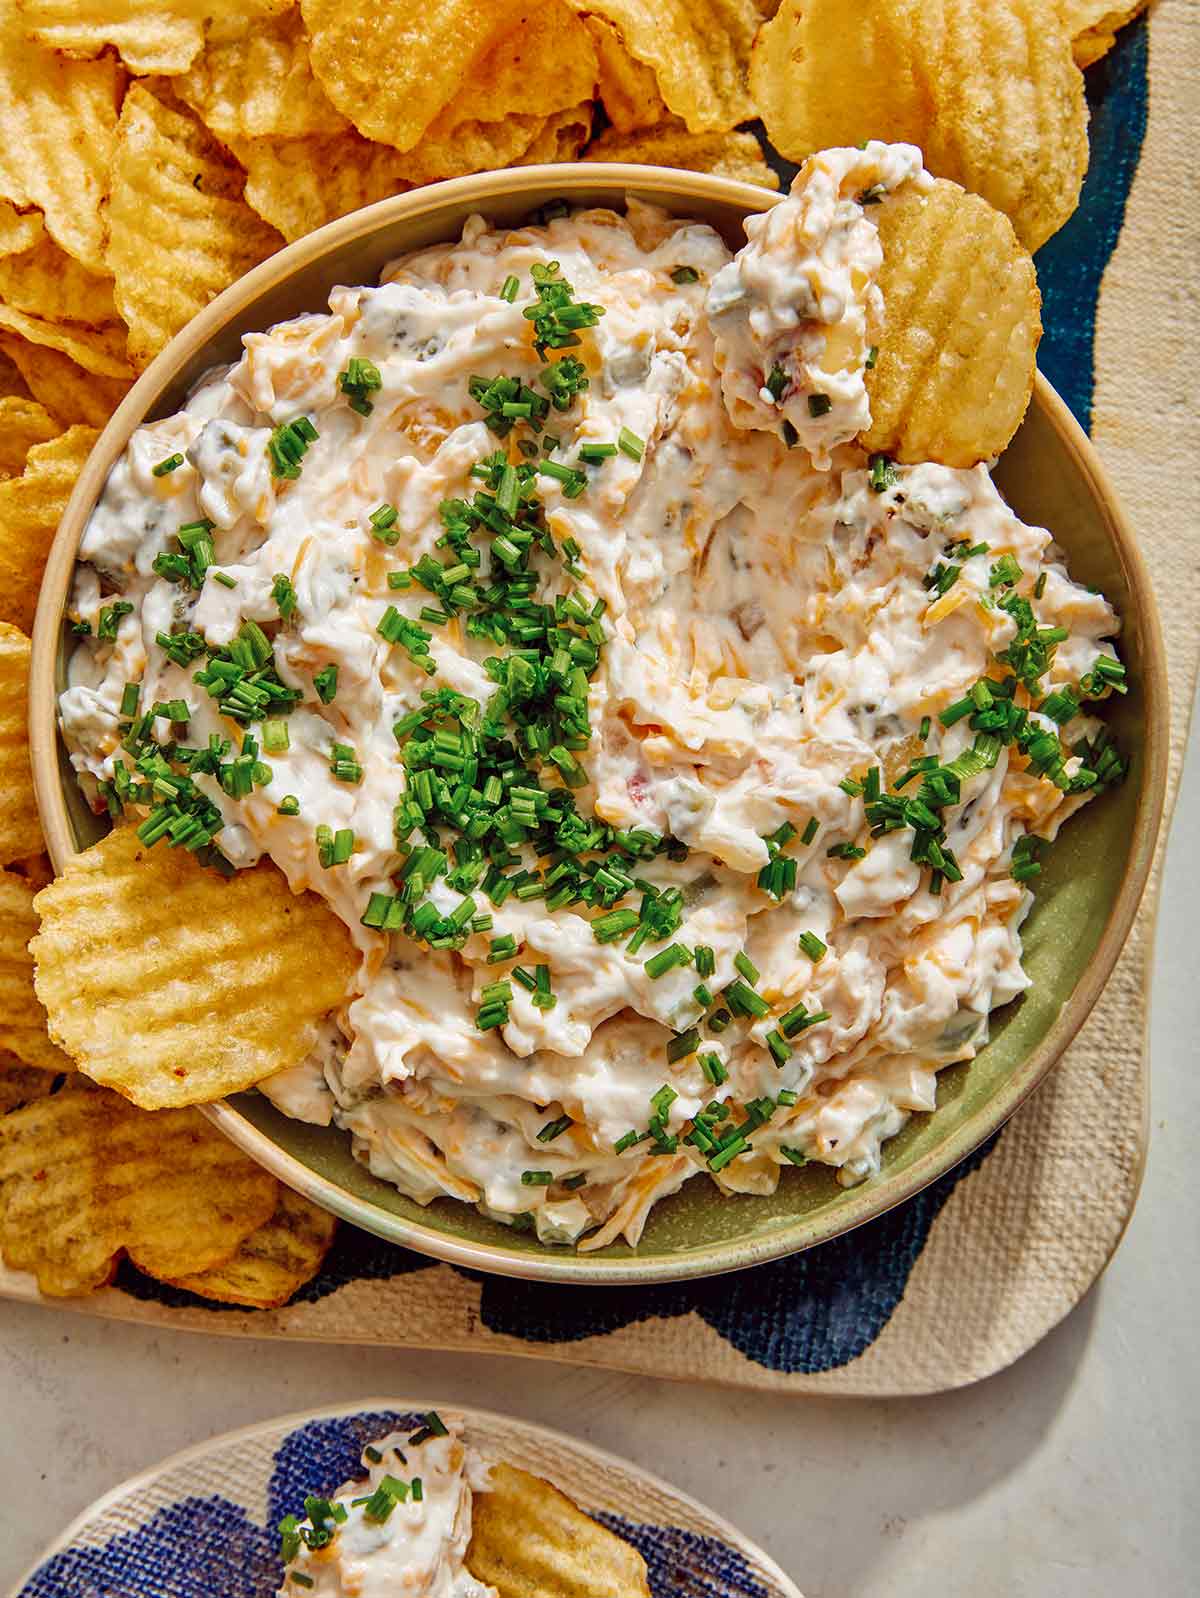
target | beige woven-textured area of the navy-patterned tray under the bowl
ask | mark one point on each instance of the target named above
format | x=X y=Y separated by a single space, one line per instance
x=1025 y=1234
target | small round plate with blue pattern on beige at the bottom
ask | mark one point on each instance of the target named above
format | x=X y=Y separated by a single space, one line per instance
x=204 y=1522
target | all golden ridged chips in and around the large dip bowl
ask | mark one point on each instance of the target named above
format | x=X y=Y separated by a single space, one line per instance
x=154 y=151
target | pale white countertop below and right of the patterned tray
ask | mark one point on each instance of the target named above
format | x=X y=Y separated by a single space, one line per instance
x=1075 y=1474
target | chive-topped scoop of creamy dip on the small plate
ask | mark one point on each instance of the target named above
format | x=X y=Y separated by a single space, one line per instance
x=402 y=1528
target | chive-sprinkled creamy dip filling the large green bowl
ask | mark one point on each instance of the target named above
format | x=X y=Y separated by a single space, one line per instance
x=675 y=765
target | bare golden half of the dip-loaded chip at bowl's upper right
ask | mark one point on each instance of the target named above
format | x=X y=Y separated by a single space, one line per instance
x=961 y=328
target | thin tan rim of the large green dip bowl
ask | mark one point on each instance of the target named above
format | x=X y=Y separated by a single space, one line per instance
x=674 y=189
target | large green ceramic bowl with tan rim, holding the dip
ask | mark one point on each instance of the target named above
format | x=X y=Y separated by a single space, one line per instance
x=1086 y=900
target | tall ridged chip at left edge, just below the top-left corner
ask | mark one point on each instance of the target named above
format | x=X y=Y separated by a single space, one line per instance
x=57 y=135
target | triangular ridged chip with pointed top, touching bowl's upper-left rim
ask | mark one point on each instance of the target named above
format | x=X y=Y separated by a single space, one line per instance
x=180 y=231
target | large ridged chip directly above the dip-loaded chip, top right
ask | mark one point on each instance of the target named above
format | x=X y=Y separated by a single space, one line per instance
x=987 y=89
